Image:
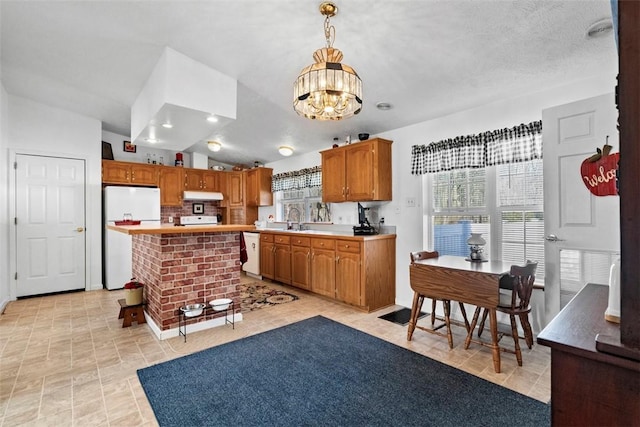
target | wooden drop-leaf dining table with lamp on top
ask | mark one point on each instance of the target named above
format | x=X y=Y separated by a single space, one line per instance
x=456 y=278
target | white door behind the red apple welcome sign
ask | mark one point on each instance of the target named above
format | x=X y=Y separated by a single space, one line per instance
x=582 y=231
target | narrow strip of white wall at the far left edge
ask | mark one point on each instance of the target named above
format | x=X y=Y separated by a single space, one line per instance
x=4 y=205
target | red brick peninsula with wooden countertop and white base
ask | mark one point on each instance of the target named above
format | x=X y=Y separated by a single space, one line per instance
x=182 y=265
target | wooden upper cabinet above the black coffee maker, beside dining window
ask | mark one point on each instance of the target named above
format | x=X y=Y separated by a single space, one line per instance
x=357 y=172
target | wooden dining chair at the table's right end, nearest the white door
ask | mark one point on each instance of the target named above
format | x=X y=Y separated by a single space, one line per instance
x=519 y=282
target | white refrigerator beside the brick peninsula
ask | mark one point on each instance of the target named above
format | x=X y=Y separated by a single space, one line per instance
x=142 y=204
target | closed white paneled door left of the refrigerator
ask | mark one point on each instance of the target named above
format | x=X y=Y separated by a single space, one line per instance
x=50 y=221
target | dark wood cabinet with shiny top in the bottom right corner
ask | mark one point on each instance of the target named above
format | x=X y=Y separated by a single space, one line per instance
x=588 y=386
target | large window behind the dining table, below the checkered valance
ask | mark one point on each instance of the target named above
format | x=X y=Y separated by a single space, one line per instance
x=466 y=200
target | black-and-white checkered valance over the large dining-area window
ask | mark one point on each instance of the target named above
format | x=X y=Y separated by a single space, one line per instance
x=518 y=144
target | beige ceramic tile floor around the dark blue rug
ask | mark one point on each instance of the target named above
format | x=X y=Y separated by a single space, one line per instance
x=65 y=360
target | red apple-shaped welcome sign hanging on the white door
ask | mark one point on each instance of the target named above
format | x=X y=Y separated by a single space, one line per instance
x=599 y=172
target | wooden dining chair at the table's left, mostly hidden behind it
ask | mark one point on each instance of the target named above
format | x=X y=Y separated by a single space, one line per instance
x=418 y=300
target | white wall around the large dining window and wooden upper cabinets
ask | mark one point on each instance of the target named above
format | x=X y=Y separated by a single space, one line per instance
x=409 y=220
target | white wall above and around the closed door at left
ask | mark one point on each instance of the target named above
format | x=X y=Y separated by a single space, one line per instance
x=38 y=129
